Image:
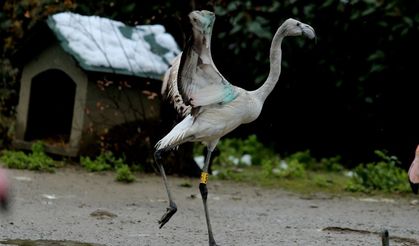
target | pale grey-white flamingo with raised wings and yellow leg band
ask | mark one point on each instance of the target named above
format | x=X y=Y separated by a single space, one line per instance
x=213 y=107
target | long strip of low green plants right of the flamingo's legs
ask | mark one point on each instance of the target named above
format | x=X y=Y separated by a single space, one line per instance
x=302 y=172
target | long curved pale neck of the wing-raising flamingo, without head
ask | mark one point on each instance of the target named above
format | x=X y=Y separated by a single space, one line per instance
x=275 y=59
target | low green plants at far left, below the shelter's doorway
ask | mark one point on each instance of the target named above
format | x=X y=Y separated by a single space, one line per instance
x=37 y=160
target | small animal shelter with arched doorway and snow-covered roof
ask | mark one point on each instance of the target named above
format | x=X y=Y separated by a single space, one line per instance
x=83 y=75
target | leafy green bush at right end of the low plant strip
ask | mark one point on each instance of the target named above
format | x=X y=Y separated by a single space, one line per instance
x=384 y=175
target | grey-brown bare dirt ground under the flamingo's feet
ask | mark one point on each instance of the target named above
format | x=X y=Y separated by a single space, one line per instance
x=74 y=205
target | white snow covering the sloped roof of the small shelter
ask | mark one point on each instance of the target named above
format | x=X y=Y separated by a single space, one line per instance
x=101 y=44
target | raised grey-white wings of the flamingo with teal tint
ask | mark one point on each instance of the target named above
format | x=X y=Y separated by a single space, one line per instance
x=193 y=81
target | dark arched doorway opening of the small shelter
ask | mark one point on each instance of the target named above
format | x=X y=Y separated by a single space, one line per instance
x=51 y=107
